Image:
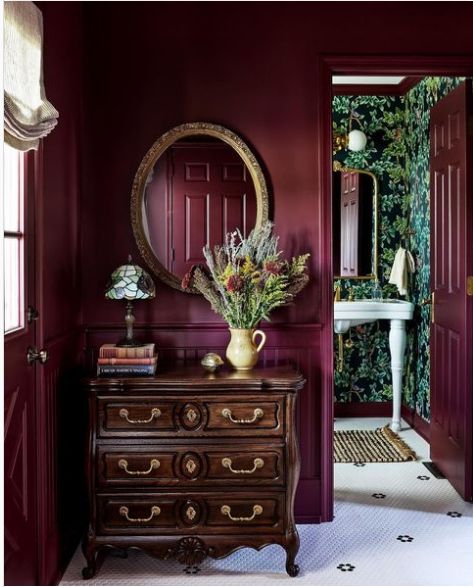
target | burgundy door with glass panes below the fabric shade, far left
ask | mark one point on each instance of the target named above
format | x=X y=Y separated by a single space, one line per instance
x=20 y=527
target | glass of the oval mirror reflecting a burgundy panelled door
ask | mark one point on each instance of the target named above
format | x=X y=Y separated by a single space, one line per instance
x=199 y=190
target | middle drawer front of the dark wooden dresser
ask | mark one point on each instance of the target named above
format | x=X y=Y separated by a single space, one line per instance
x=175 y=465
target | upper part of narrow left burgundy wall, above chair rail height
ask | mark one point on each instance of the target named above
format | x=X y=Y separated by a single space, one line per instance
x=62 y=168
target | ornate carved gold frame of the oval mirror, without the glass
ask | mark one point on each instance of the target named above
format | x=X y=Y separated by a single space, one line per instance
x=148 y=162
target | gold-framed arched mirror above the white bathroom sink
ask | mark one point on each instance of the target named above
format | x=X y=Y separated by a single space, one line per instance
x=355 y=223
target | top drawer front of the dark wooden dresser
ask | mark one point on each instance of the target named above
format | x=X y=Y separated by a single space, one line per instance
x=163 y=416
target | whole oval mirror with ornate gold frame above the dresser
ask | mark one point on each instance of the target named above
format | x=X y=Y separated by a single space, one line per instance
x=196 y=183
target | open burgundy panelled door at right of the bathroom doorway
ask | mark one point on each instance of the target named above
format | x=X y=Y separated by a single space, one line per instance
x=452 y=309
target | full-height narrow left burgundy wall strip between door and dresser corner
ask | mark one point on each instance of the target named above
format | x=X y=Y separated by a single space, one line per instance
x=60 y=408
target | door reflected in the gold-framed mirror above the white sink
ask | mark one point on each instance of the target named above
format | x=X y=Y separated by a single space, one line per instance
x=349 y=222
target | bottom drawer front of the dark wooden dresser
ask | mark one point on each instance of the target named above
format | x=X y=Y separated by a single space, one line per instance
x=230 y=513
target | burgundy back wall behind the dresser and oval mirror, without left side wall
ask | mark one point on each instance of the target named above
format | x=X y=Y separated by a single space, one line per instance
x=254 y=68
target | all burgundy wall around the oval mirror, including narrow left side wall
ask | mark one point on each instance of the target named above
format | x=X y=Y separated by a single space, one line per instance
x=253 y=67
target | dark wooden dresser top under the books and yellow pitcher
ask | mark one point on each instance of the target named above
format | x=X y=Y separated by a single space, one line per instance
x=195 y=376
